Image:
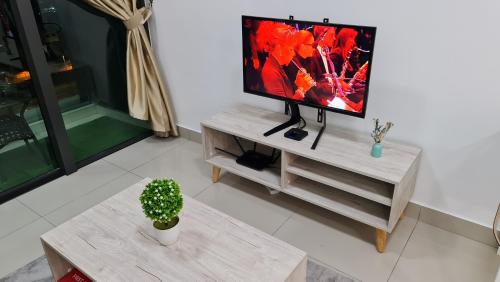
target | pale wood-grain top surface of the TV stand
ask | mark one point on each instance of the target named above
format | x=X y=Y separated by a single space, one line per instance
x=340 y=148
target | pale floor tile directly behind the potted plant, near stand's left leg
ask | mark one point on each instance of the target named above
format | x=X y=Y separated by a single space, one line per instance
x=184 y=164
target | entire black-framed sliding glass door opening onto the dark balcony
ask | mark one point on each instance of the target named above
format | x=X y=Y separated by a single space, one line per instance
x=63 y=90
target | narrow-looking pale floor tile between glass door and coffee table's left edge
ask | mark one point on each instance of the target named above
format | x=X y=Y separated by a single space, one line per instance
x=91 y=199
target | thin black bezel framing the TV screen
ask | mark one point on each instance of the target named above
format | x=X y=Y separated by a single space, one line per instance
x=361 y=114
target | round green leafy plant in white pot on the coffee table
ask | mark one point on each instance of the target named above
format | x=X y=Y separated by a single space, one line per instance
x=161 y=202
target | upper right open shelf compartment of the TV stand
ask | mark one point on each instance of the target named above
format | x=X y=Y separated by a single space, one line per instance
x=351 y=182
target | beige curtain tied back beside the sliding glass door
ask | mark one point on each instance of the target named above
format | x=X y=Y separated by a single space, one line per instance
x=147 y=96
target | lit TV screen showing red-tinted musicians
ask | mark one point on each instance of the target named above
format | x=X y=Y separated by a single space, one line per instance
x=315 y=64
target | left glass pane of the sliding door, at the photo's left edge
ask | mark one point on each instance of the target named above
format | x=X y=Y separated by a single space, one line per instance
x=25 y=149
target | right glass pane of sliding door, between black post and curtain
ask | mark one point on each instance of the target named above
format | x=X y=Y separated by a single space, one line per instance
x=85 y=50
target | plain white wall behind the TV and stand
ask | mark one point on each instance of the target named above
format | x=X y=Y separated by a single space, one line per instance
x=435 y=74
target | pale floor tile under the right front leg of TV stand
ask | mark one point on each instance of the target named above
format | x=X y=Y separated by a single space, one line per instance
x=345 y=244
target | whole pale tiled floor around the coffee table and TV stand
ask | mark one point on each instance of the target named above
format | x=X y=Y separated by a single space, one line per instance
x=415 y=252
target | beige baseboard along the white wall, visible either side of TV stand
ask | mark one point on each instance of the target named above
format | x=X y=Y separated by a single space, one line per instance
x=427 y=215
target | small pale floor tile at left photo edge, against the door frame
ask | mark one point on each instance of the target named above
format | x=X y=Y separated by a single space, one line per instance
x=14 y=215
